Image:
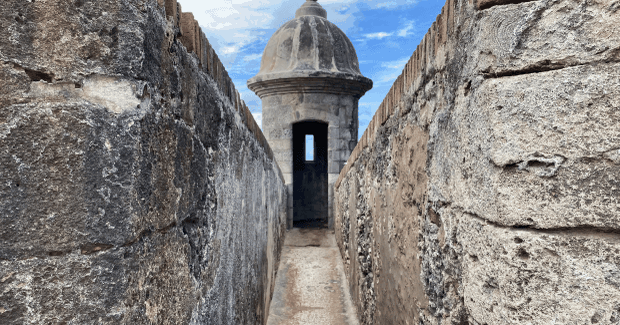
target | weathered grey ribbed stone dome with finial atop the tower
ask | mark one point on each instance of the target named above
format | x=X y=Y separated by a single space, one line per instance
x=309 y=46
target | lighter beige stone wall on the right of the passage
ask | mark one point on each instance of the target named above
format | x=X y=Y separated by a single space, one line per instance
x=486 y=188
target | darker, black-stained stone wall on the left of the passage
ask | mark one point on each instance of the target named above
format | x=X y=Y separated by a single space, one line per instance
x=135 y=188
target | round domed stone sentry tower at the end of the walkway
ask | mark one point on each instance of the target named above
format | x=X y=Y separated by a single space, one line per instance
x=310 y=84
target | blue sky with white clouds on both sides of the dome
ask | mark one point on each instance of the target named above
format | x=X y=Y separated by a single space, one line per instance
x=384 y=32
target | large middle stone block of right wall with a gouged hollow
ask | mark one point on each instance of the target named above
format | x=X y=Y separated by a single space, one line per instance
x=546 y=136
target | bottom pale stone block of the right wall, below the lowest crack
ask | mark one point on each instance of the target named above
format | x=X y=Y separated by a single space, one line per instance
x=514 y=276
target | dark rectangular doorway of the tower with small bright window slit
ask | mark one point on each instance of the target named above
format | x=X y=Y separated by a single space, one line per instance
x=310 y=174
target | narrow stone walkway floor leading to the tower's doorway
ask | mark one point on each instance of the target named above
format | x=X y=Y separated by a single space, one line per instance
x=311 y=287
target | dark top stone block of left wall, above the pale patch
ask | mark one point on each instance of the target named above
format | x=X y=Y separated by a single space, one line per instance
x=104 y=45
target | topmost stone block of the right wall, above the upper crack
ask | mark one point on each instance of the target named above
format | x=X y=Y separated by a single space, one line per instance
x=544 y=35
